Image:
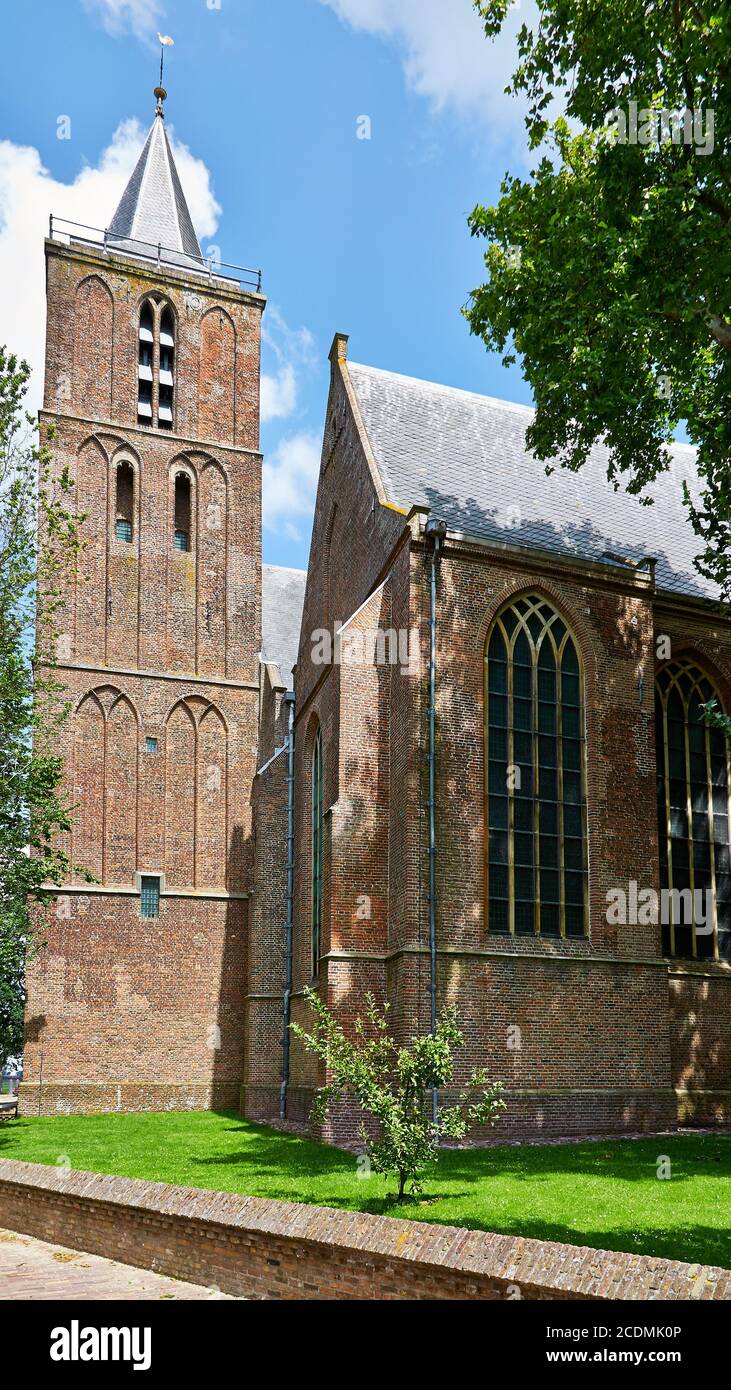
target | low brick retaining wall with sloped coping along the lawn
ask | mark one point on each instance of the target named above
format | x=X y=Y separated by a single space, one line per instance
x=284 y=1250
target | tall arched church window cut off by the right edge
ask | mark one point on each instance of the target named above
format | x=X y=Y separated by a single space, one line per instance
x=693 y=817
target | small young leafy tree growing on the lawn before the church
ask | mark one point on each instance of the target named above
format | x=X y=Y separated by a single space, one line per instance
x=394 y=1085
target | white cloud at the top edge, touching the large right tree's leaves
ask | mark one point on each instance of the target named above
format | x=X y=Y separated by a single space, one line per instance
x=447 y=56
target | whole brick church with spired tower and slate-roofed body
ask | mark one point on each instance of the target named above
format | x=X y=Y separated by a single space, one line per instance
x=462 y=760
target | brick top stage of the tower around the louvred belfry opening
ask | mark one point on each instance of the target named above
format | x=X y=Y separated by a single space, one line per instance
x=94 y=304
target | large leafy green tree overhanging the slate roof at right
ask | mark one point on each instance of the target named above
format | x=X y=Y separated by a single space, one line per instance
x=609 y=270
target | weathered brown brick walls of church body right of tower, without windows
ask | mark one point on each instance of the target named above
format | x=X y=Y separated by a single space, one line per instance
x=612 y=1035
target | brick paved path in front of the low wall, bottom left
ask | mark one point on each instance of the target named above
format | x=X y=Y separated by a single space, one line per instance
x=33 y=1270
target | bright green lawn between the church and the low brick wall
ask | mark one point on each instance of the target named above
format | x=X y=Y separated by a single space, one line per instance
x=604 y=1195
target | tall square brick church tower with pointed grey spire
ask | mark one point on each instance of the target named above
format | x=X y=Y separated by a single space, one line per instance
x=135 y=1000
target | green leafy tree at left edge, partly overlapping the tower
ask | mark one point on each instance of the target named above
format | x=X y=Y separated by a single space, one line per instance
x=38 y=541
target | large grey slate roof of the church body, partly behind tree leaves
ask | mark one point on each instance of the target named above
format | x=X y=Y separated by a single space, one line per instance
x=465 y=458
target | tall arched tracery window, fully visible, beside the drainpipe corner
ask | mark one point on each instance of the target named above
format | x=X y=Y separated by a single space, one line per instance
x=536 y=775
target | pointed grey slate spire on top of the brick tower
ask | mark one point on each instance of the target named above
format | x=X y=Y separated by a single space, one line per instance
x=154 y=211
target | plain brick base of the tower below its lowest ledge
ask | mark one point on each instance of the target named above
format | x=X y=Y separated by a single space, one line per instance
x=137 y=1014
